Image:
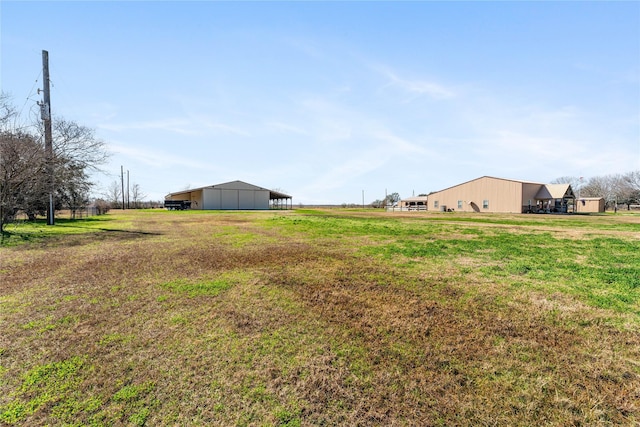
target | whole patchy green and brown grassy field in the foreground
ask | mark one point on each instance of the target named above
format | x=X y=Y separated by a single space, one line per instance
x=321 y=317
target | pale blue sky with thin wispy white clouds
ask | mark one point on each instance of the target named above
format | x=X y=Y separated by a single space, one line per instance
x=332 y=102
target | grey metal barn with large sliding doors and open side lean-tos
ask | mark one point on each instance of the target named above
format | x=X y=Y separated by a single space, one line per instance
x=234 y=195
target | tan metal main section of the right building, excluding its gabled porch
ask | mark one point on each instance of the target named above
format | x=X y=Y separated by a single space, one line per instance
x=502 y=196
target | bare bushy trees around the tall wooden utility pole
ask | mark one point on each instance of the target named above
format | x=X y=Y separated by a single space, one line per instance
x=25 y=168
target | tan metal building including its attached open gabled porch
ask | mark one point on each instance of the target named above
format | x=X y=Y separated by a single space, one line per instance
x=489 y=194
